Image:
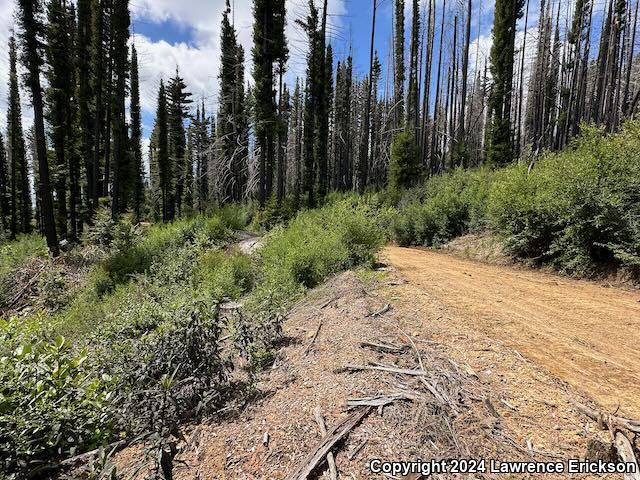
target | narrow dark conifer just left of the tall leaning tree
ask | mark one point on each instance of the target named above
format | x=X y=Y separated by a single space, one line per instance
x=19 y=191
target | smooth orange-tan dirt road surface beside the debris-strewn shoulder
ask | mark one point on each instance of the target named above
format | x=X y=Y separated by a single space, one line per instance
x=584 y=334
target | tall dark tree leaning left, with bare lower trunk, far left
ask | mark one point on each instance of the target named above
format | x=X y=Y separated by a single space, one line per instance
x=30 y=19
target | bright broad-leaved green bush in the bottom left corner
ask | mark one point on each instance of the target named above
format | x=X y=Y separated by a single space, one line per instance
x=50 y=403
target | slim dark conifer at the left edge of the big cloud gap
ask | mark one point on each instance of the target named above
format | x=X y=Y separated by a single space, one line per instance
x=137 y=169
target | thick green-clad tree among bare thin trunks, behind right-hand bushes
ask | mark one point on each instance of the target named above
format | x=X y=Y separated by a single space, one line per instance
x=500 y=144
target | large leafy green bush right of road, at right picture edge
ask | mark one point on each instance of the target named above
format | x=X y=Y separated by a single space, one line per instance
x=577 y=210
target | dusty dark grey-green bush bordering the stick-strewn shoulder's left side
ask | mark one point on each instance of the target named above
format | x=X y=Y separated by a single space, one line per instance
x=172 y=372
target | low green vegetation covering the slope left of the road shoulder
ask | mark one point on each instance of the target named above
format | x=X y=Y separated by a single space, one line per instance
x=139 y=347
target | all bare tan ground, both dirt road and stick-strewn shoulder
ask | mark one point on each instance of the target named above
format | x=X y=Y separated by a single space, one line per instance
x=507 y=352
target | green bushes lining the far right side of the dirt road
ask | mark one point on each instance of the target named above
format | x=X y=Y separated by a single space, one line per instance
x=578 y=210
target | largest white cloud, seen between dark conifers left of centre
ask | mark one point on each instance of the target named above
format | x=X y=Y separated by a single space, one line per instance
x=199 y=61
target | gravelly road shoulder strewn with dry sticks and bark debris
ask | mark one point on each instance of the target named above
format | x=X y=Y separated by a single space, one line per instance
x=403 y=396
